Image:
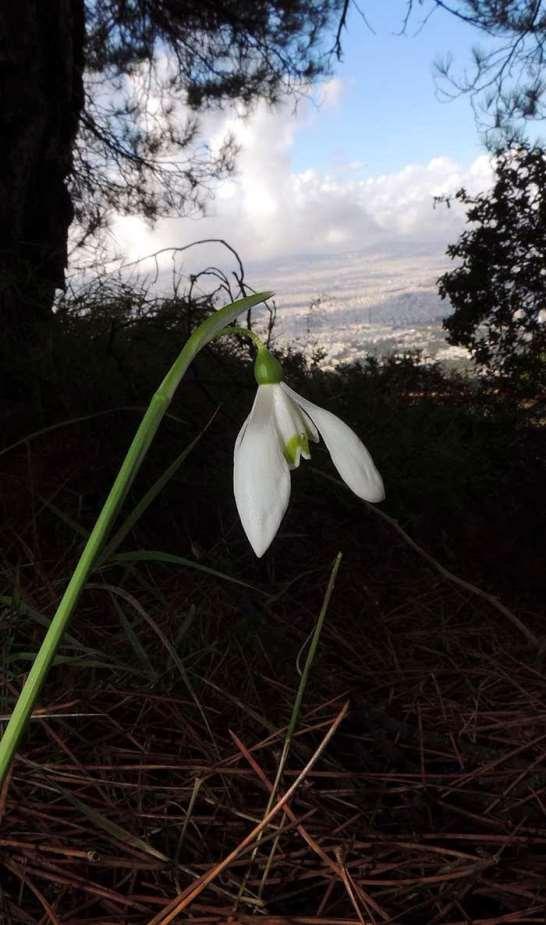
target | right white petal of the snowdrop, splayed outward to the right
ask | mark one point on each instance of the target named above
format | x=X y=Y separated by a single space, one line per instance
x=349 y=455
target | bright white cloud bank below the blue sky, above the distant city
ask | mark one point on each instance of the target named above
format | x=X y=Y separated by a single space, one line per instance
x=268 y=210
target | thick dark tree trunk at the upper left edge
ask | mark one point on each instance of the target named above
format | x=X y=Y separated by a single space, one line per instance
x=41 y=98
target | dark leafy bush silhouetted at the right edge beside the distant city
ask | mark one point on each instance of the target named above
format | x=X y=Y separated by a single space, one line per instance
x=498 y=288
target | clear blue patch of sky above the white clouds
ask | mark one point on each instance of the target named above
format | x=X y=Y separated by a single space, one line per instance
x=389 y=113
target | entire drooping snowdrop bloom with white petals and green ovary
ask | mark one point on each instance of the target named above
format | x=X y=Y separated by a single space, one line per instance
x=272 y=441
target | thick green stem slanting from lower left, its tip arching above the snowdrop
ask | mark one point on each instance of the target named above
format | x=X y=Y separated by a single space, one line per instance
x=210 y=328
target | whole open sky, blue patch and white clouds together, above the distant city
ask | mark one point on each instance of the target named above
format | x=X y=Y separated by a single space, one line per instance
x=353 y=166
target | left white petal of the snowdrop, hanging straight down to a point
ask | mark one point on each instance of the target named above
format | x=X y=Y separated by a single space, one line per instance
x=261 y=478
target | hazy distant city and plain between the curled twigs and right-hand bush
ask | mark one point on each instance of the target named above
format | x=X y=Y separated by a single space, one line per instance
x=359 y=303
